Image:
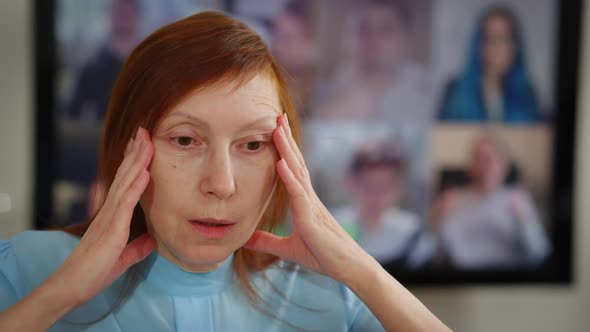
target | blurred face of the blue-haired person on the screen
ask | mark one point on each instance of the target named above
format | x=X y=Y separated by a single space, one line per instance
x=498 y=46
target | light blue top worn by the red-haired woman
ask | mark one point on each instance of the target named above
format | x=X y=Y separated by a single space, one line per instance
x=168 y=298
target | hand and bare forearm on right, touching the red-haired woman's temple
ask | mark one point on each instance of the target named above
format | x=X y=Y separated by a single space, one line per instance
x=321 y=244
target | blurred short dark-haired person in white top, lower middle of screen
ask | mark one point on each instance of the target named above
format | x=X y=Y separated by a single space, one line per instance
x=374 y=217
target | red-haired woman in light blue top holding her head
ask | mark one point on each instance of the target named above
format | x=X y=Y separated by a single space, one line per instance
x=190 y=198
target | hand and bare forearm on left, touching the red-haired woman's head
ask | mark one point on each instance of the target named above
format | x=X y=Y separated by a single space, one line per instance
x=102 y=255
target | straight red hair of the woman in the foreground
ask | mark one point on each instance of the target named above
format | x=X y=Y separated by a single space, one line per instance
x=194 y=53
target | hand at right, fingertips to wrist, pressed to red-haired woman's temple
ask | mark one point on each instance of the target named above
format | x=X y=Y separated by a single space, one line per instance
x=317 y=241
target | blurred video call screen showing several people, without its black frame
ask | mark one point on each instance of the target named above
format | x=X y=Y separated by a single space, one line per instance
x=428 y=124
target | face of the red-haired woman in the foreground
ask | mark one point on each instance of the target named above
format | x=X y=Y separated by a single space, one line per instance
x=212 y=173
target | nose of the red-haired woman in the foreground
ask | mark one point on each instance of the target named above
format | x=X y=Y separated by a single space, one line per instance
x=219 y=178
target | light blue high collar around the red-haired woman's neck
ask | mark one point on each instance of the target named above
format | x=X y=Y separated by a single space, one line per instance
x=166 y=276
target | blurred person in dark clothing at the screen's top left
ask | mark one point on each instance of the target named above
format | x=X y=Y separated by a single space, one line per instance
x=91 y=93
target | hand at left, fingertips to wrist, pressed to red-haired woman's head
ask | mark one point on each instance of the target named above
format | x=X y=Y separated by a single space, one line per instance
x=103 y=253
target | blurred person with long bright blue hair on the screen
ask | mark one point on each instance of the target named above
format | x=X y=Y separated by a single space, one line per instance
x=494 y=85
